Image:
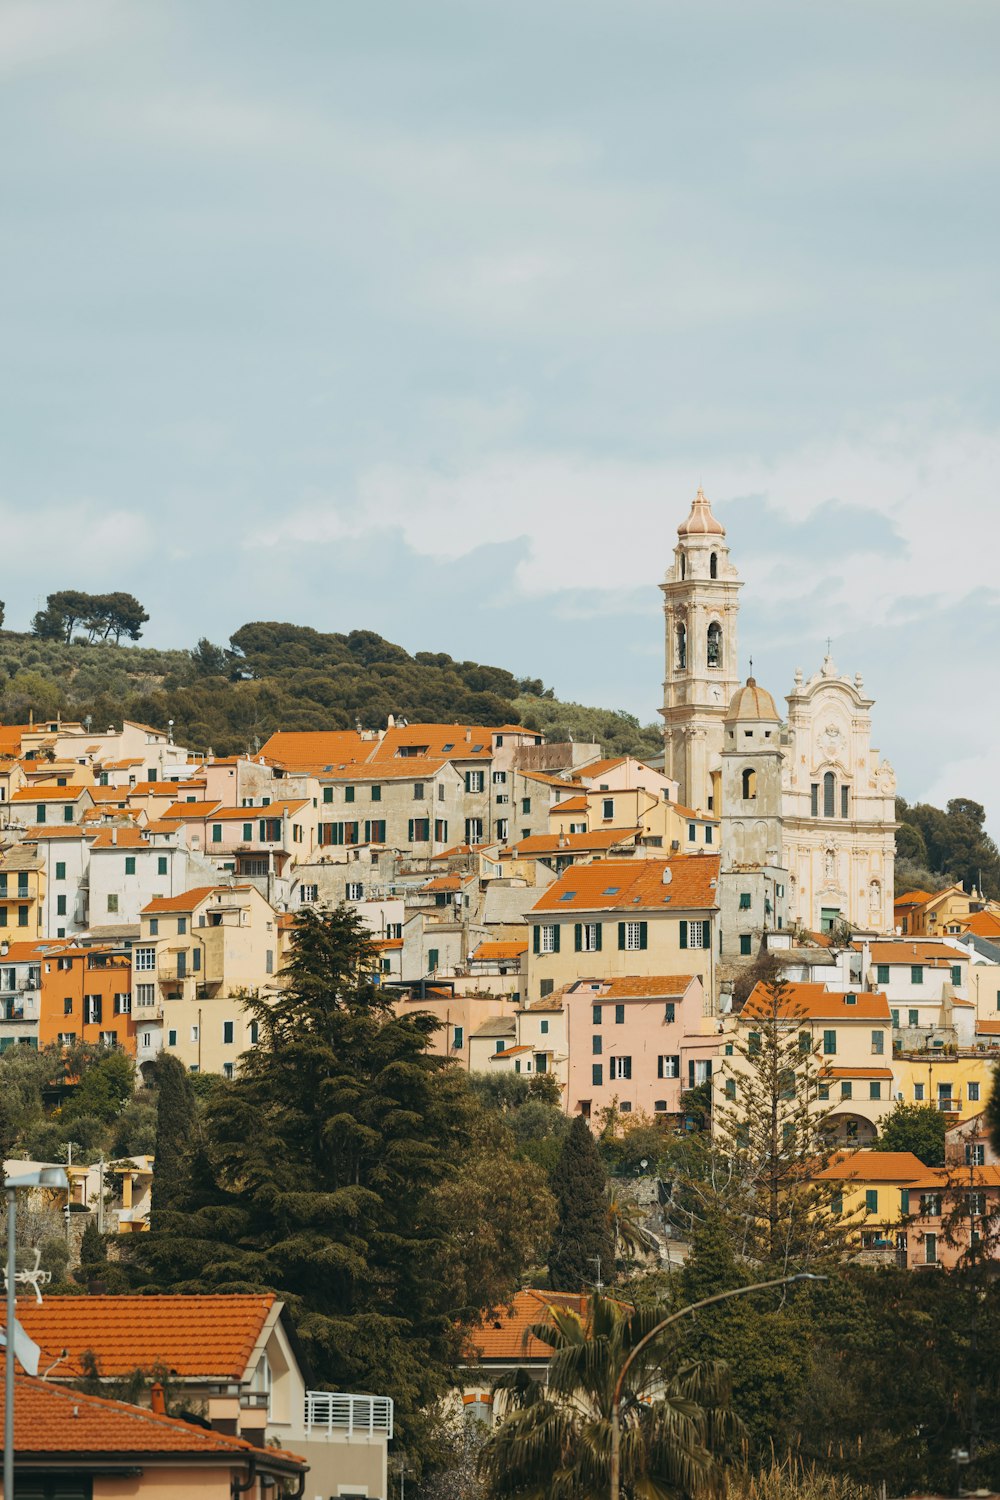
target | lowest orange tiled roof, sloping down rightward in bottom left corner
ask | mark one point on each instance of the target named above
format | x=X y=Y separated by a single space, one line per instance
x=55 y=1423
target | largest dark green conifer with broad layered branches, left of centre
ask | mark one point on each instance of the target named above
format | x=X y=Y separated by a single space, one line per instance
x=316 y=1174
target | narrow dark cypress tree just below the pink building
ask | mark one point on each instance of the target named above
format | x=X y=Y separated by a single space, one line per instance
x=582 y=1238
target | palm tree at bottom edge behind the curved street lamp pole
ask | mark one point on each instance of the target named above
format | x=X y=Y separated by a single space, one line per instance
x=555 y=1442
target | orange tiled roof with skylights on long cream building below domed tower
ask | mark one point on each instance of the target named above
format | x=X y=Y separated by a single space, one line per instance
x=635 y=886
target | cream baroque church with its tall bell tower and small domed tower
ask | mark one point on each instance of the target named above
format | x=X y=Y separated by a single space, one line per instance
x=806 y=803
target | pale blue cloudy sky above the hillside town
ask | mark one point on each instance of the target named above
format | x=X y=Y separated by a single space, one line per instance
x=430 y=317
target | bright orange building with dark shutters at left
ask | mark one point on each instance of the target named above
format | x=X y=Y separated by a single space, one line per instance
x=88 y=997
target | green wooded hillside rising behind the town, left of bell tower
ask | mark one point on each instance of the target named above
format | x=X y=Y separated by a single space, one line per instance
x=277 y=676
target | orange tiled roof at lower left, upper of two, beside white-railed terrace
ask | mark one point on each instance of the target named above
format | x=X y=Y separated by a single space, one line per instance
x=191 y=1336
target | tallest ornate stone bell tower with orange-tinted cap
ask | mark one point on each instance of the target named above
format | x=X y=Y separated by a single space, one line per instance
x=701 y=604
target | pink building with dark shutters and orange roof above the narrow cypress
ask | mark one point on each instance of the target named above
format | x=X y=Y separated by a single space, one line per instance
x=639 y=1042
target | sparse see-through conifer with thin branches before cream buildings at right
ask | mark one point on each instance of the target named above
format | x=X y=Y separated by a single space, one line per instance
x=774 y=1135
